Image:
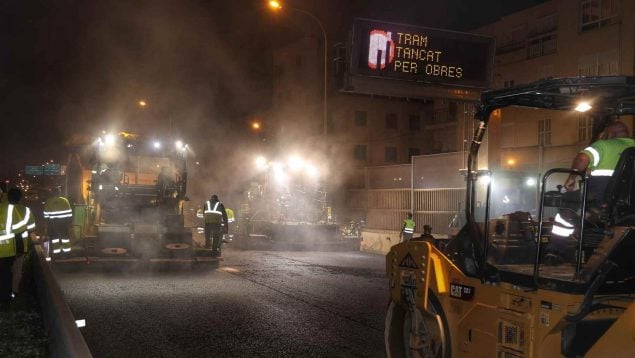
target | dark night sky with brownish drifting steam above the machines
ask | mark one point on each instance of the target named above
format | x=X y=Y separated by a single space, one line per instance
x=71 y=67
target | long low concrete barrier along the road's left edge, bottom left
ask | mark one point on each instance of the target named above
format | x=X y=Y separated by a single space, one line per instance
x=65 y=339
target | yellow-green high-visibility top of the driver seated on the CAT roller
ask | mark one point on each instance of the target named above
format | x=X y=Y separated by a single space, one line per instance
x=604 y=155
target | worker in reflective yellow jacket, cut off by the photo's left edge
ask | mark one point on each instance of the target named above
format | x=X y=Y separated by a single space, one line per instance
x=10 y=218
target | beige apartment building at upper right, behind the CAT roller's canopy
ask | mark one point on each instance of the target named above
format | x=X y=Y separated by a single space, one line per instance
x=559 y=38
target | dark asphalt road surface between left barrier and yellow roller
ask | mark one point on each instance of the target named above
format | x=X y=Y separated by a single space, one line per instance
x=257 y=303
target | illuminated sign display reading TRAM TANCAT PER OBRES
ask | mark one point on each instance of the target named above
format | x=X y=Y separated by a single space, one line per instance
x=413 y=53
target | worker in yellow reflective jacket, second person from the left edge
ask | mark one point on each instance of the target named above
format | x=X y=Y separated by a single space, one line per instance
x=22 y=232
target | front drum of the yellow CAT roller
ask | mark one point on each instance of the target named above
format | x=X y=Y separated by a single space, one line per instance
x=432 y=338
